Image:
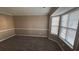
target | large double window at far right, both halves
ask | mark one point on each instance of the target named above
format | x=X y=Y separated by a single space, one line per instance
x=68 y=27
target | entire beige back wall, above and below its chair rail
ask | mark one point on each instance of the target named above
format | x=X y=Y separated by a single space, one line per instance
x=31 y=25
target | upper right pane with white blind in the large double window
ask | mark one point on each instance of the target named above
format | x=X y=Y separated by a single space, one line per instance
x=73 y=19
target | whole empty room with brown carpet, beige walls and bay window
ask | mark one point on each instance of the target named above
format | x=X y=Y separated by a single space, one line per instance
x=39 y=28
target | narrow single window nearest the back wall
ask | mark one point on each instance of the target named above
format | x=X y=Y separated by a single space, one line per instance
x=54 y=25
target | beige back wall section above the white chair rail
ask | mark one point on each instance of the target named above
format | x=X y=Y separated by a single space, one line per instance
x=40 y=22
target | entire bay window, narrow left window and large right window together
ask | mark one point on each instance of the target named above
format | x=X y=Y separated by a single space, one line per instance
x=66 y=26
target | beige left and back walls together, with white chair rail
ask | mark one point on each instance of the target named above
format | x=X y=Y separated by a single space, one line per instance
x=25 y=25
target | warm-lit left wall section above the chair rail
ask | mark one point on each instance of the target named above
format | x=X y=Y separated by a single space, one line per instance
x=6 y=22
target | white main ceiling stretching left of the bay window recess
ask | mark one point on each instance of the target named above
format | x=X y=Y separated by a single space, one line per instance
x=24 y=10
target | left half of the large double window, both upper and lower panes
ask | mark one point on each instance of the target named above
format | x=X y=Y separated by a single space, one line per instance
x=63 y=26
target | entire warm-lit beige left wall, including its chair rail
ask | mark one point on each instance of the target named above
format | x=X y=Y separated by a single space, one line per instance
x=6 y=26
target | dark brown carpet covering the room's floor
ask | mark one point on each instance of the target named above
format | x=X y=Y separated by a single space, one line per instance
x=21 y=43
